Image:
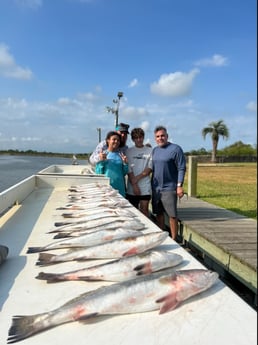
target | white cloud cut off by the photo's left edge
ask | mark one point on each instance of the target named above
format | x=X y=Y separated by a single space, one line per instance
x=9 y=68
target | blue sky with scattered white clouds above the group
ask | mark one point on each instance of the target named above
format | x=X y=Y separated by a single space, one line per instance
x=179 y=63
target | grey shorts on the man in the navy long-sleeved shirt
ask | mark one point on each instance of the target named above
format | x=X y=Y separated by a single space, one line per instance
x=165 y=202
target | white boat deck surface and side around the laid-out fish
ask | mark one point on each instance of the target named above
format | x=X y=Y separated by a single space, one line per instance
x=216 y=316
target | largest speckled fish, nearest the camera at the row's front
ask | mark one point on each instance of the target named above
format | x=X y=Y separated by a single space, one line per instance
x=163 y=291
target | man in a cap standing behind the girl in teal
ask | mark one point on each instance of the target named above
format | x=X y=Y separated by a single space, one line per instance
x=122 y=129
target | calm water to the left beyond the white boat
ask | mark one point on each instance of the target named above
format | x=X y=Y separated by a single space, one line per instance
x=14 y=169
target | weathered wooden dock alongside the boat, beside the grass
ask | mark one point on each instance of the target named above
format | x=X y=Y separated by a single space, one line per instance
x=224 y=238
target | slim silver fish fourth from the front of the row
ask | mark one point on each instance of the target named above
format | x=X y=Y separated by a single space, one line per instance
x=89 y=239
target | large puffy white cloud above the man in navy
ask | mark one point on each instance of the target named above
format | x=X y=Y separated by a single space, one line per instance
x=174 y=84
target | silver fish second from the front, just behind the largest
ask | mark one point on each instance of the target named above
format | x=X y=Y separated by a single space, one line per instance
x=120 y=269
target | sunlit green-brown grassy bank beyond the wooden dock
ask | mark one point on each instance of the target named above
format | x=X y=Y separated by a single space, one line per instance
x=231 y=186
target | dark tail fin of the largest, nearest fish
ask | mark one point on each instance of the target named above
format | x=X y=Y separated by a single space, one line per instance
x=23 y=327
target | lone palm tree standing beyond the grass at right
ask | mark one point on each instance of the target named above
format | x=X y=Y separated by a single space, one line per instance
x=215 y=129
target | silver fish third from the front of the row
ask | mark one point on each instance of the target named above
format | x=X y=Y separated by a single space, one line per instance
x=110 y=250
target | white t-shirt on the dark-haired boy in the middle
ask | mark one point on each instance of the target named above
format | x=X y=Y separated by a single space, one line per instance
x=139 y=158
